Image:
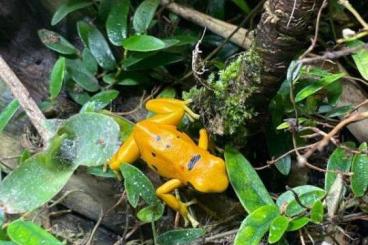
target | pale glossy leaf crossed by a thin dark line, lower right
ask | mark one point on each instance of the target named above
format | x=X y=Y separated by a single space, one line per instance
x=307 y=194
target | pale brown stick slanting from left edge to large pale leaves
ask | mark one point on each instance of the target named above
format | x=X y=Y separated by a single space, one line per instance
x=27 y=103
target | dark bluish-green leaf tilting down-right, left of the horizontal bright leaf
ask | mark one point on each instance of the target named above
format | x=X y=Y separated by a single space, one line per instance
x=101 y=50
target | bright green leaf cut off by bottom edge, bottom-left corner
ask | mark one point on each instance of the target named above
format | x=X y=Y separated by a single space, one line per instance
x=27 y=233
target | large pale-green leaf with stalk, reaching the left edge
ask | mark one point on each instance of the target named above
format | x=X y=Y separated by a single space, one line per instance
x=36 y=181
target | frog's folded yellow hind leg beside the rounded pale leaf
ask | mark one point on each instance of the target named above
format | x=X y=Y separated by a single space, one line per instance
x=127 y=153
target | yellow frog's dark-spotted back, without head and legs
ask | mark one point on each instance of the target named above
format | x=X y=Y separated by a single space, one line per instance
x=165 y=149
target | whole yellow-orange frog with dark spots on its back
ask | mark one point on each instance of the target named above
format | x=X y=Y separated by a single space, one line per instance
x=173 y=154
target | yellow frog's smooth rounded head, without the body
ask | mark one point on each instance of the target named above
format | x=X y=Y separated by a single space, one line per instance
x=208 y=174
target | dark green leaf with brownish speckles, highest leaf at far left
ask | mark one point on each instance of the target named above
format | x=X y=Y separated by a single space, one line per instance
x=54 y=41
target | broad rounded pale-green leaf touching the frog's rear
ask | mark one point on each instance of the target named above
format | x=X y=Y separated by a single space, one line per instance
x=94 y=138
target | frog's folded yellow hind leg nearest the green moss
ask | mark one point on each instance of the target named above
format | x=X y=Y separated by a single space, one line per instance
x=169 y=111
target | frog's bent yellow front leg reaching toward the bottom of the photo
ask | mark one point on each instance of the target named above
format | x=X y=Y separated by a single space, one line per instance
x=164 y=192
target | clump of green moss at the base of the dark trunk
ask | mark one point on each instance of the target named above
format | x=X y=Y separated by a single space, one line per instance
x=225 y=106
